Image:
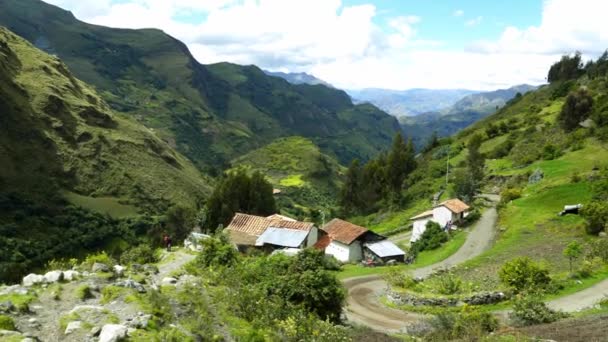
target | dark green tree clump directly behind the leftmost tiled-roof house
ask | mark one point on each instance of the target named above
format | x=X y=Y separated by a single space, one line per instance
x=239 y=192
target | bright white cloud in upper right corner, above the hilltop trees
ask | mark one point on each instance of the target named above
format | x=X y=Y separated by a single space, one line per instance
x=565 y=26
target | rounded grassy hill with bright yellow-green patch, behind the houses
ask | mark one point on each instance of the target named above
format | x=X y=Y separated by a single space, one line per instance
x=307 y=178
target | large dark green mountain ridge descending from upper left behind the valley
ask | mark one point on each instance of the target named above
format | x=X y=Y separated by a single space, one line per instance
x=210 y=113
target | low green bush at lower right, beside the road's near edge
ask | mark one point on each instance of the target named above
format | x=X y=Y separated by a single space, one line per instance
x=529 y=310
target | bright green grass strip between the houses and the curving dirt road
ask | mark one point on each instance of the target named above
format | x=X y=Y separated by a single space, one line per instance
x=425 y=258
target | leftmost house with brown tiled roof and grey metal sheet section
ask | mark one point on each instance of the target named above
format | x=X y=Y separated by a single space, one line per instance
x=276 y=231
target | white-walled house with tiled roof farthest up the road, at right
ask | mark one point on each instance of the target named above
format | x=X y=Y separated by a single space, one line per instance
x=451 y=211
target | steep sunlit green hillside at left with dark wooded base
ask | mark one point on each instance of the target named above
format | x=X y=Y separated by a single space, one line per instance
x=61 y=143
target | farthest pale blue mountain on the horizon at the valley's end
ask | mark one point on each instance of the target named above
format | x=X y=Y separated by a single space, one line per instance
x=410 y=102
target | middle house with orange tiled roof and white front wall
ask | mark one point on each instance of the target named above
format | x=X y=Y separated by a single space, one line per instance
x=345 y=240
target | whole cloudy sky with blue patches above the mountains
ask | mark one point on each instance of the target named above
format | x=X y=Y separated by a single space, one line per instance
x=392 y=44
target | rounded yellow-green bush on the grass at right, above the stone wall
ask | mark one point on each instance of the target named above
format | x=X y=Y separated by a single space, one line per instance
x=522 y=274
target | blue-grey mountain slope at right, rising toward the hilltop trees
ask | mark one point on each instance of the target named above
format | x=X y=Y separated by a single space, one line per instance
x=463 y=113
